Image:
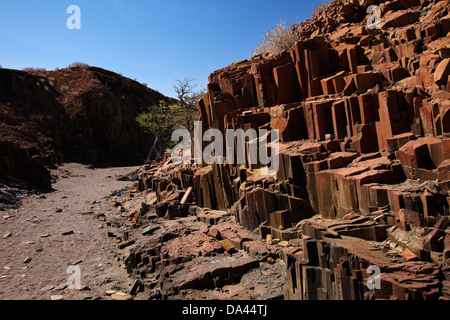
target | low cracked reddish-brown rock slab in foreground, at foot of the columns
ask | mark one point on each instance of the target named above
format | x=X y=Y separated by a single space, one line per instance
x=175 y=258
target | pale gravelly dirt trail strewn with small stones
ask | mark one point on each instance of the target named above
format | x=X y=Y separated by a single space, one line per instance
x=57 y=230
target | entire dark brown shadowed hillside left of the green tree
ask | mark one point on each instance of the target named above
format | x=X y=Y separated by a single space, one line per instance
x=75 y=114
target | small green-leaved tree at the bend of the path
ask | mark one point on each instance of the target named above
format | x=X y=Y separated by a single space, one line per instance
x=160 y=120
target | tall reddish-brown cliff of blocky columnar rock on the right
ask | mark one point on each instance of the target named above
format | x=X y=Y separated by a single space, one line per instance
x=364 y=174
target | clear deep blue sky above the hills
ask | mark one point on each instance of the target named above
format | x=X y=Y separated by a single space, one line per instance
x=153 y=41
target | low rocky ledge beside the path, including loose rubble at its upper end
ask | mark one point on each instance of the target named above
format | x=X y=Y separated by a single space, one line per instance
x=205 y=255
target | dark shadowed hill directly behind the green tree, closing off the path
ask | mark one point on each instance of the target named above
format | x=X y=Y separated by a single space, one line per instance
x=105 y=105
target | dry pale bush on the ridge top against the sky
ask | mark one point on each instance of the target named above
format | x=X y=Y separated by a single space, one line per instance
x=277 y=39
